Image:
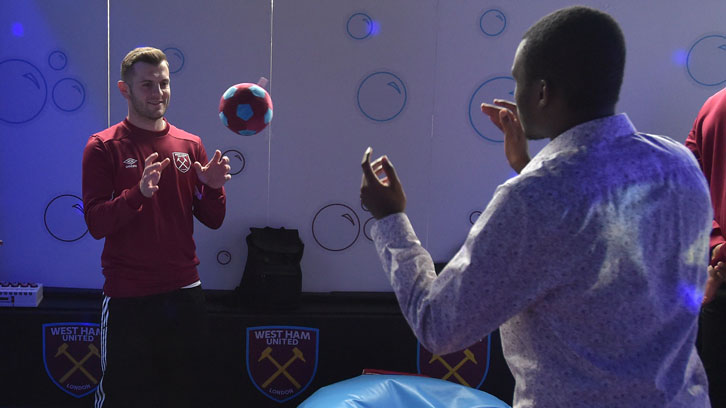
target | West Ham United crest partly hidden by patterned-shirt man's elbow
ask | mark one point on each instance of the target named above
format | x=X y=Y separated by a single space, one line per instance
x=467 y=367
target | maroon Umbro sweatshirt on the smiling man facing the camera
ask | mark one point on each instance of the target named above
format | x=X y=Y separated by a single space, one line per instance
x=149 y=247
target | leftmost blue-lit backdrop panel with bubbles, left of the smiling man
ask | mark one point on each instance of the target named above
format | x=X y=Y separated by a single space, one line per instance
x=52 y=96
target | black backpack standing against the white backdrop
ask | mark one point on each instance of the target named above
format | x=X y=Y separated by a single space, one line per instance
x=272 y=277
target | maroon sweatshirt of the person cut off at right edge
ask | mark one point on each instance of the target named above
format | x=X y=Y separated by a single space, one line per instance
x=707 y=141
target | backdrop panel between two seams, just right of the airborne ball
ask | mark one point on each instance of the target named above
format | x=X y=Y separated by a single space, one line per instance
x=346 y=75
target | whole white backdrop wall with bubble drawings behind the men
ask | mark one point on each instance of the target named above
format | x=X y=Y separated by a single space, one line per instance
x=405 y=77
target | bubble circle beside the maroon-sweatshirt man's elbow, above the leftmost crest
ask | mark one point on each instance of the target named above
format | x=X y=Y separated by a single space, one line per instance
x=63 y=218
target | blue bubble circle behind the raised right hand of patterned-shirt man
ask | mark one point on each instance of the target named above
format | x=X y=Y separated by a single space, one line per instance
x=500 y=87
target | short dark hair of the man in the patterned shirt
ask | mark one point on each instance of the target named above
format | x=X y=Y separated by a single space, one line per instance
x=579 y=51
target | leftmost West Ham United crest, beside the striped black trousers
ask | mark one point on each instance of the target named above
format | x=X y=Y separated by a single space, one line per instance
x=72 y=357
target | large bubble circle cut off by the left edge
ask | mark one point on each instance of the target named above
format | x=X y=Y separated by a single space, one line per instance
x=24 y=91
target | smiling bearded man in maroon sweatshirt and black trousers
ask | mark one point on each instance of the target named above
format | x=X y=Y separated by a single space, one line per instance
x=143 y=182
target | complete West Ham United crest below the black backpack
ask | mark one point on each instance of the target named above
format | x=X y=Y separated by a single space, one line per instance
x=282 y=360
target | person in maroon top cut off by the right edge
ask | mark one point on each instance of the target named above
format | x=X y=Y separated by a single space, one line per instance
x=707 y=141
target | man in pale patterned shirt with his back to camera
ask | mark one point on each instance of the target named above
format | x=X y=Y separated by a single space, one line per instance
x=589 y=259
